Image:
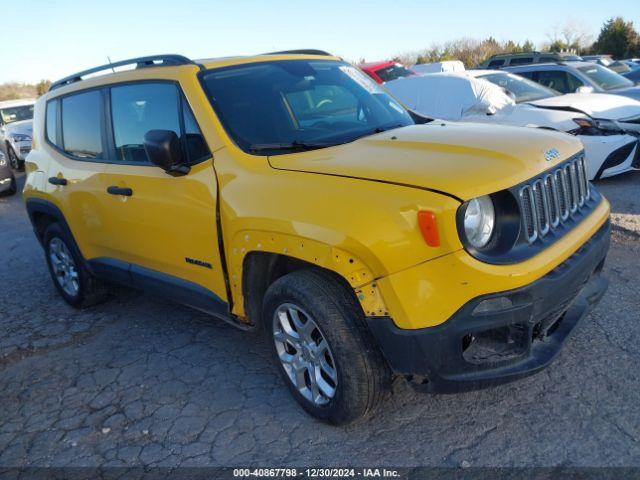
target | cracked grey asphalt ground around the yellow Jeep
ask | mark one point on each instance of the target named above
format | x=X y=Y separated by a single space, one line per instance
x=141 y=381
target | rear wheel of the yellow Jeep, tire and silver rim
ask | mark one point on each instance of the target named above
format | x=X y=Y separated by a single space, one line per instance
x=72 y=279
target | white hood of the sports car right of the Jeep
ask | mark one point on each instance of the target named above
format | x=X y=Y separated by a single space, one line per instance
x=597 y=105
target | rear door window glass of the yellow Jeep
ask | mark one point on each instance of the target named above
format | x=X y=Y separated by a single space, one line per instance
x=81 y=124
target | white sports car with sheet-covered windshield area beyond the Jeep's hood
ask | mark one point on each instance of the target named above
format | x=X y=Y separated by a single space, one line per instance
x=607 y=125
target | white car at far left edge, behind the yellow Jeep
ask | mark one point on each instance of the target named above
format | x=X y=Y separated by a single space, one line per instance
x=16 y=125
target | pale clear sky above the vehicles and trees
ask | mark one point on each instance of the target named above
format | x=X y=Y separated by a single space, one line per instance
x=51 y=39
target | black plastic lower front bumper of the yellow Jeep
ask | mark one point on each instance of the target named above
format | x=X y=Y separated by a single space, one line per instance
x=511 y=335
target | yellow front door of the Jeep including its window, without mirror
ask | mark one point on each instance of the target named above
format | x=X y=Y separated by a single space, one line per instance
x=163 y=226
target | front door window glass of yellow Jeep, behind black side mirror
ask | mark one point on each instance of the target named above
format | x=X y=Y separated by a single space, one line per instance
x=136 y=109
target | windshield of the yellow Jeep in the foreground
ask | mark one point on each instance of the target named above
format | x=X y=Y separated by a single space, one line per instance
x=280 y=106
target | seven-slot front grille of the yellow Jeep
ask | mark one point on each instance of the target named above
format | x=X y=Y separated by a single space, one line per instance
x=553 y=199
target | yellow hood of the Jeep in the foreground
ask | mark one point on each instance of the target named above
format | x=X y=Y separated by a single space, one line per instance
x=463 y=160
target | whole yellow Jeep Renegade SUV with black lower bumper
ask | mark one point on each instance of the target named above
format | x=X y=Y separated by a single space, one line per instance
x=288 y=192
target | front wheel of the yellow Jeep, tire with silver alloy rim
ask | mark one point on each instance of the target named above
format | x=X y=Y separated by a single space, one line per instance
x=361 y=375
